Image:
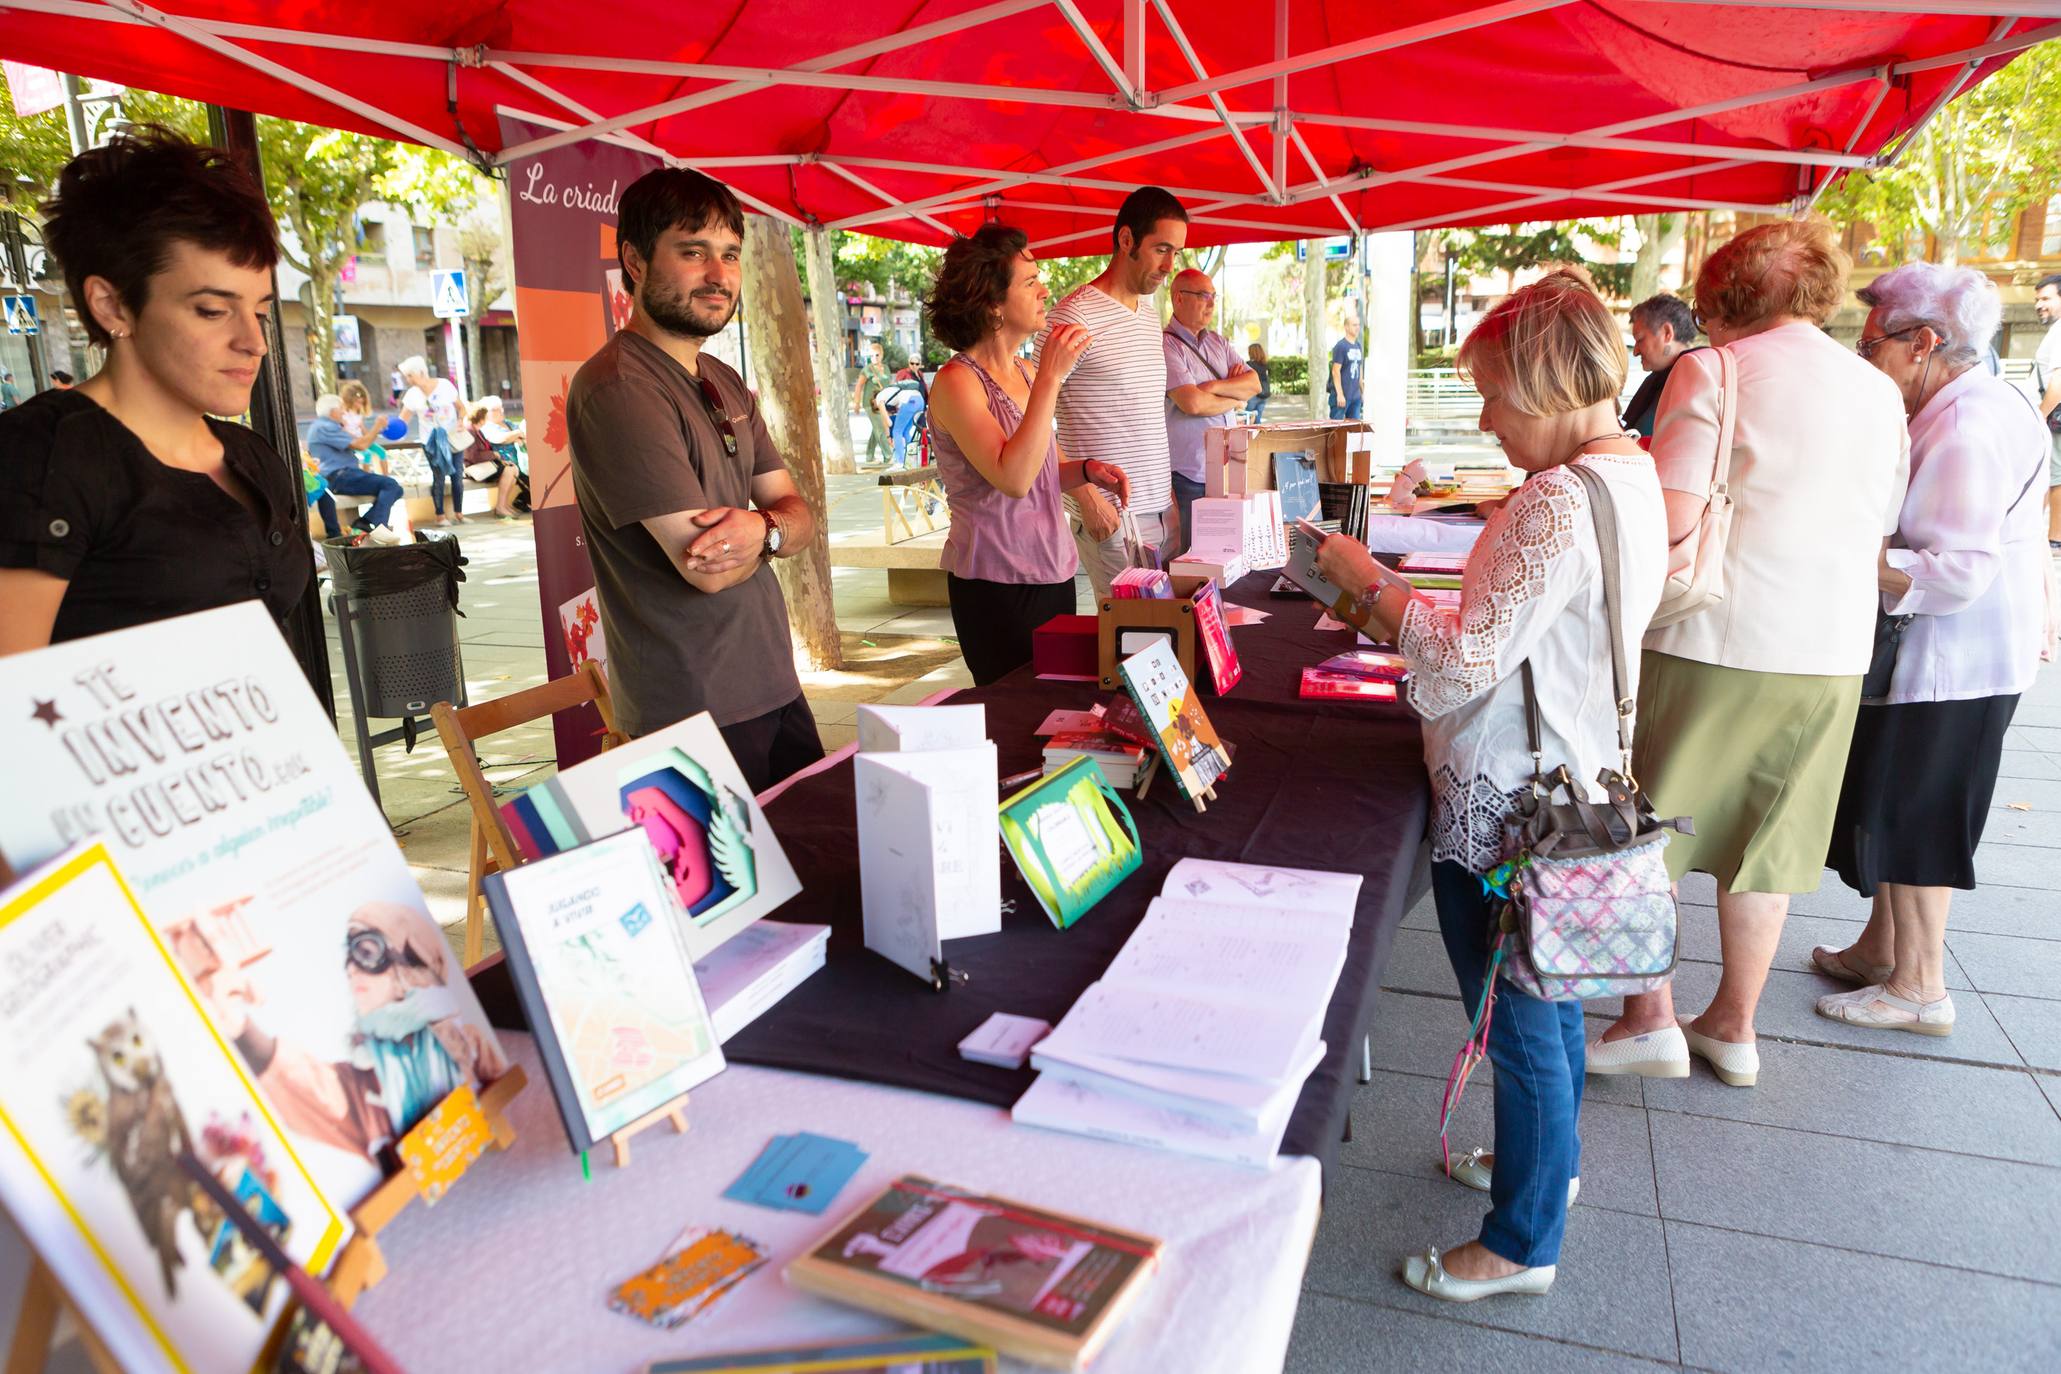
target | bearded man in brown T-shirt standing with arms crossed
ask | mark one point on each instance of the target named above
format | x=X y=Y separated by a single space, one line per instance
x=683 y=497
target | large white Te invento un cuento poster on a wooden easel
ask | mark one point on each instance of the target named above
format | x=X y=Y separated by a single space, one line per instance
x=199 y=755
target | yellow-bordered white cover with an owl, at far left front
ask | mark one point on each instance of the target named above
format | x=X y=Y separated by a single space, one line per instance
x=110 y=1074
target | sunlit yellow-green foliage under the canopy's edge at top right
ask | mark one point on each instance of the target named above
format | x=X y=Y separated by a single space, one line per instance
x=1978 y=164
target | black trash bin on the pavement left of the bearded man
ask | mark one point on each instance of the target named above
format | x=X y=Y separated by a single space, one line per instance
x=397 y=613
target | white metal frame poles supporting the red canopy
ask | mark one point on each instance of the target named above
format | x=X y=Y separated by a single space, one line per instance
x=1198 y=108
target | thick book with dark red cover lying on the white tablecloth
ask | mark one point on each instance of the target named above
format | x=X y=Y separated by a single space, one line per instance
x=1040 y=1286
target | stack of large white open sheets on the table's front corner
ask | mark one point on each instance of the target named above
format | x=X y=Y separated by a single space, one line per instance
x=1203 y=1031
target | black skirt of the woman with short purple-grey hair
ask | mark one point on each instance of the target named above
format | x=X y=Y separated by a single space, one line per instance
x=1918 y=790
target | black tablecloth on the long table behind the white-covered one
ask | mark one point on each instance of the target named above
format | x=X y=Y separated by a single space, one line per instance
x=1314 y=786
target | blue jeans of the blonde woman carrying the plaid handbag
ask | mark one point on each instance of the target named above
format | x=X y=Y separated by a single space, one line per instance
x=1539 y=1054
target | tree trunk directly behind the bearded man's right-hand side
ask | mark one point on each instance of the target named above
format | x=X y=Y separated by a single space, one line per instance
x=778 y=341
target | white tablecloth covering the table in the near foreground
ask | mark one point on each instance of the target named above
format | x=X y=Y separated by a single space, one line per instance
x=514 y=1268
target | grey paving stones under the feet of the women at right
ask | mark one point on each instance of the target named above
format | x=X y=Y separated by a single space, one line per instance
x=1879 y=1202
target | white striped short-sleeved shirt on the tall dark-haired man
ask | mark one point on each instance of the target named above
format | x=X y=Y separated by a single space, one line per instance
x=1114 y=407
